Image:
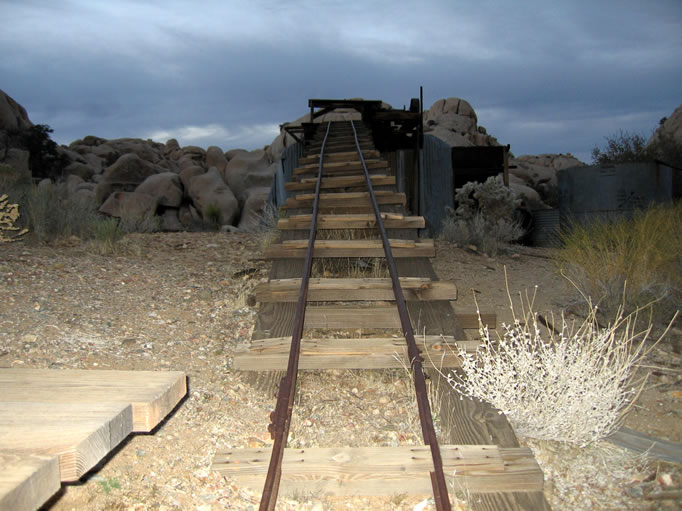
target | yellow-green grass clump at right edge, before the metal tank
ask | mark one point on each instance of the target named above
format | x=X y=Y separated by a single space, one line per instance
x=645 y=252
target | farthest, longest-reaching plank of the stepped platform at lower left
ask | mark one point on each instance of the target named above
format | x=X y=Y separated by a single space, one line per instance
x=153 y=394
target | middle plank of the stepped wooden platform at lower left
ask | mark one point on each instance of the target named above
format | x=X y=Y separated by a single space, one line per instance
x=81 y=434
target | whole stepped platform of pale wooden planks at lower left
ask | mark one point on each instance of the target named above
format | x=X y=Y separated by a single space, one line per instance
x=58 y=424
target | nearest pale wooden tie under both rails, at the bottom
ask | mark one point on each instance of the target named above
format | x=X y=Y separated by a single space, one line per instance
x=374 y=471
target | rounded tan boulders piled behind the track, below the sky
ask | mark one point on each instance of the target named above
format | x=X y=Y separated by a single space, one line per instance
x=190 y=186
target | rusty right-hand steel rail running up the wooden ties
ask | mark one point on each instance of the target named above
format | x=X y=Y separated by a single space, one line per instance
x=440 y=491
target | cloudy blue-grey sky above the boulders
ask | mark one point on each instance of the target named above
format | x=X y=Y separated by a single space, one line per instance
x=542 y=75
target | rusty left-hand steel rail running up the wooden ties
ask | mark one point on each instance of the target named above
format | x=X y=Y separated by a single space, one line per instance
x=281 y=417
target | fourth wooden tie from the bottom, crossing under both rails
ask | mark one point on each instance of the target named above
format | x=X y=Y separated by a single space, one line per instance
x=330 y=290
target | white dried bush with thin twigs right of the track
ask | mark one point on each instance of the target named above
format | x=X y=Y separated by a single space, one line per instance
x=574 y=387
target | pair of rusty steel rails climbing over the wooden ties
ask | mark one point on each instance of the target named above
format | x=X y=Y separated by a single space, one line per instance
x=281 y=417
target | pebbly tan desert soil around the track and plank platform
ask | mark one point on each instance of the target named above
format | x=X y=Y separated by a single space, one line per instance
x=178 y=302
